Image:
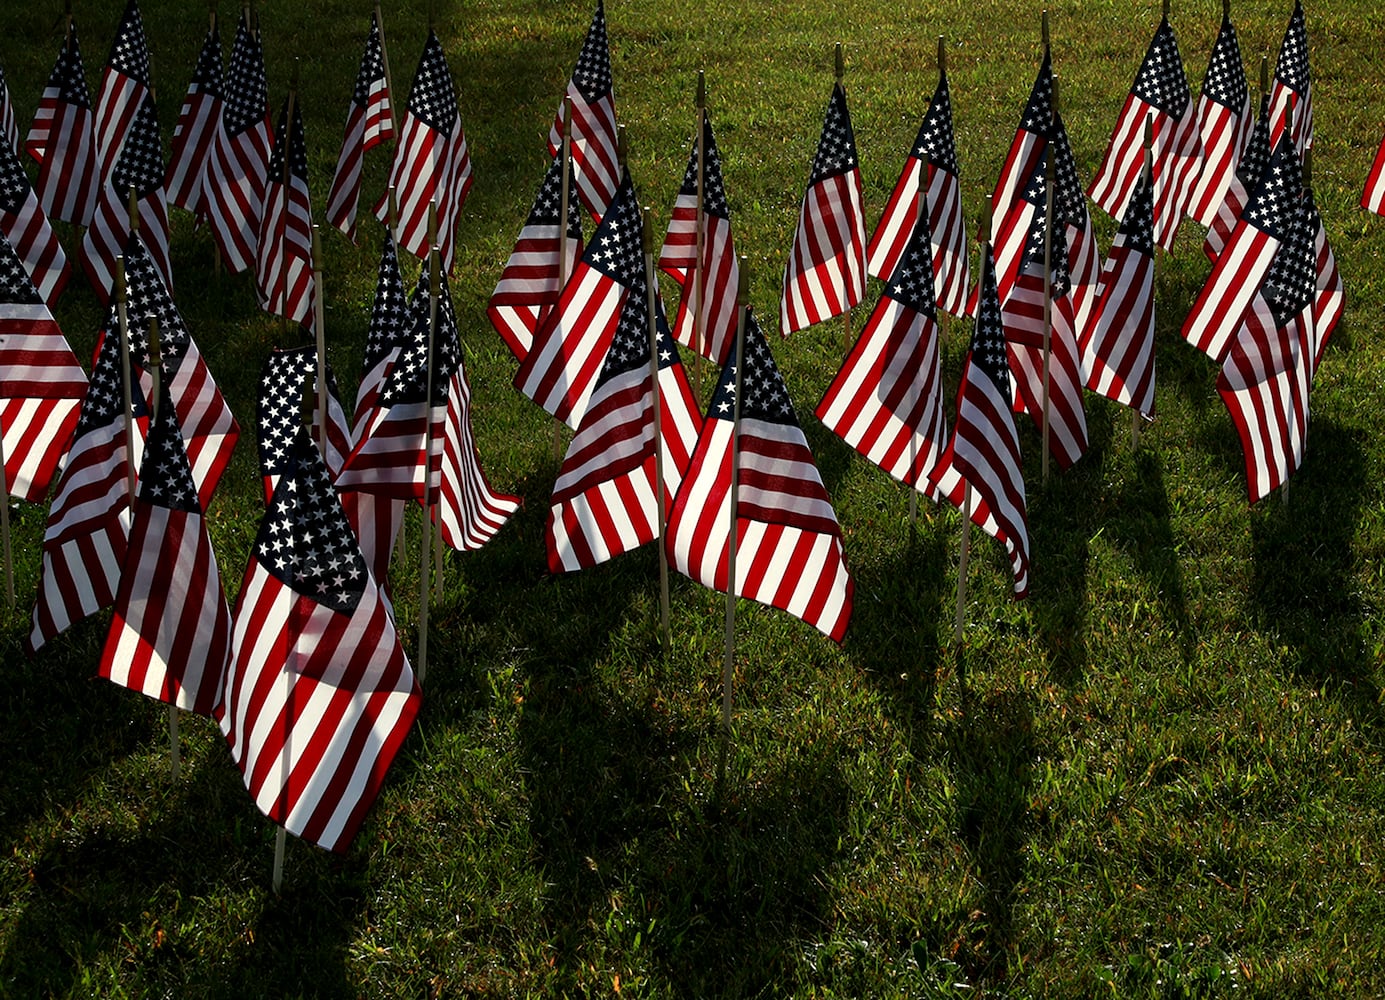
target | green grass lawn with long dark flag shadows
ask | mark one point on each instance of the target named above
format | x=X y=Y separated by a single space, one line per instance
x=1164 y=775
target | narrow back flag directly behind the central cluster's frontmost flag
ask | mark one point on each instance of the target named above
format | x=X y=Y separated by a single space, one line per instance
x=707 y=325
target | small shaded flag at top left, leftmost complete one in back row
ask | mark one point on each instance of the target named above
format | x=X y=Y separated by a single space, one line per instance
x=63 y=141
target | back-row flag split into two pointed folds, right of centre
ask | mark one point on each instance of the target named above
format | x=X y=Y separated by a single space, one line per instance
x=934 y=150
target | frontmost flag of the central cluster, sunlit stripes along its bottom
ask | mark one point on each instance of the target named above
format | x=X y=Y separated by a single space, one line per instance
x=789 y=544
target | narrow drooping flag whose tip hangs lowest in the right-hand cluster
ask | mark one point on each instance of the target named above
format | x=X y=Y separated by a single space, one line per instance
x=984 y=452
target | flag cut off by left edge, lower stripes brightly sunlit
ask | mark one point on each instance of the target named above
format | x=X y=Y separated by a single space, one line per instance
x=41 y=384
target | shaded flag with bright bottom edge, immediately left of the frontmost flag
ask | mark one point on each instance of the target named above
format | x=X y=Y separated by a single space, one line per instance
x=171 y=631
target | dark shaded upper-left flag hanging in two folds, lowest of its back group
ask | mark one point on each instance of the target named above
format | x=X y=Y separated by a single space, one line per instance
x=139 y=166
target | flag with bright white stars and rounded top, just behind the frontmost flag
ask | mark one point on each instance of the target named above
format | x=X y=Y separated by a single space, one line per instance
x=286 y=377
